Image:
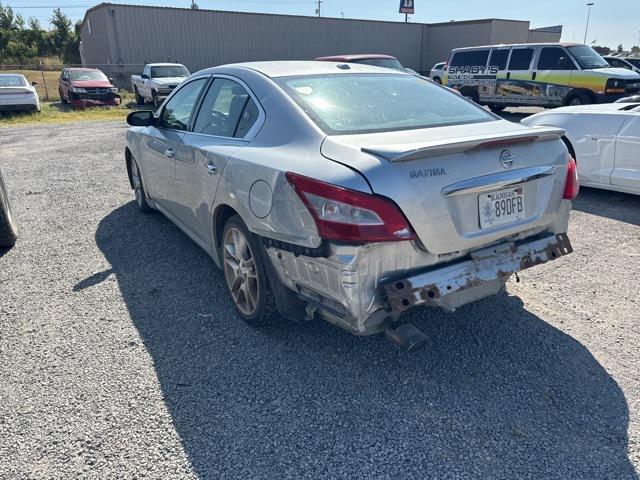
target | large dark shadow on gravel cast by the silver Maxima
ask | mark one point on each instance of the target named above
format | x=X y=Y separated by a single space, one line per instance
x=498 y=394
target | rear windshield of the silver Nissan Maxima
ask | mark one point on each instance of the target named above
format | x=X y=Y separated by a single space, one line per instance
x=362 y=103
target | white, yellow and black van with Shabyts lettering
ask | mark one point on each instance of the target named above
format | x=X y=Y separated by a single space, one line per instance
x=542 y=74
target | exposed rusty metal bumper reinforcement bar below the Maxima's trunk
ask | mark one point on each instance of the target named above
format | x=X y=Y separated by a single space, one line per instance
x=456 y=284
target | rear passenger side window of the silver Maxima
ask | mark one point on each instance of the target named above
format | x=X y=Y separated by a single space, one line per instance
x=227 y=110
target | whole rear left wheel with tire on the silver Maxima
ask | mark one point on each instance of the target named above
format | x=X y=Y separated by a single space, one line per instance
x=245 y=273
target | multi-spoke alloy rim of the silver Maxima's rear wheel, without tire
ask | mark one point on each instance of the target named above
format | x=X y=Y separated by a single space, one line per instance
x=240 y=271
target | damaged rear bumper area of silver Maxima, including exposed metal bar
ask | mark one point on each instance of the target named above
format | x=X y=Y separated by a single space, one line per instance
x=362 y=287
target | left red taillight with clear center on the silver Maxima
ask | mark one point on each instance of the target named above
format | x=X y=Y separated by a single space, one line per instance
x=350 y=216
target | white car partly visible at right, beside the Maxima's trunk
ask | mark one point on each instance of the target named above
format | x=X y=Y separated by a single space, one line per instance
x=604 y=140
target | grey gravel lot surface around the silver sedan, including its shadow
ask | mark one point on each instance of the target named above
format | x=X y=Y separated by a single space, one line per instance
x=121 y=357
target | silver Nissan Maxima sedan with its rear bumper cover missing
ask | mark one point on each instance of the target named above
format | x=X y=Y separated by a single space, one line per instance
x=350 y=192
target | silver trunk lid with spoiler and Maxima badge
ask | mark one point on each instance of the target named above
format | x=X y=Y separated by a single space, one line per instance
x=437 y=176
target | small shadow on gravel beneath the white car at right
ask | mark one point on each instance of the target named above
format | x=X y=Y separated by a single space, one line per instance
x=623 y=207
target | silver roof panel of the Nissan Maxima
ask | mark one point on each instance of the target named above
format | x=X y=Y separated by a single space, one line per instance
x=293 y=68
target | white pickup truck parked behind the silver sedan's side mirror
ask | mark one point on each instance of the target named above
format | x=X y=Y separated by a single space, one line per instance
x=157 y=81
